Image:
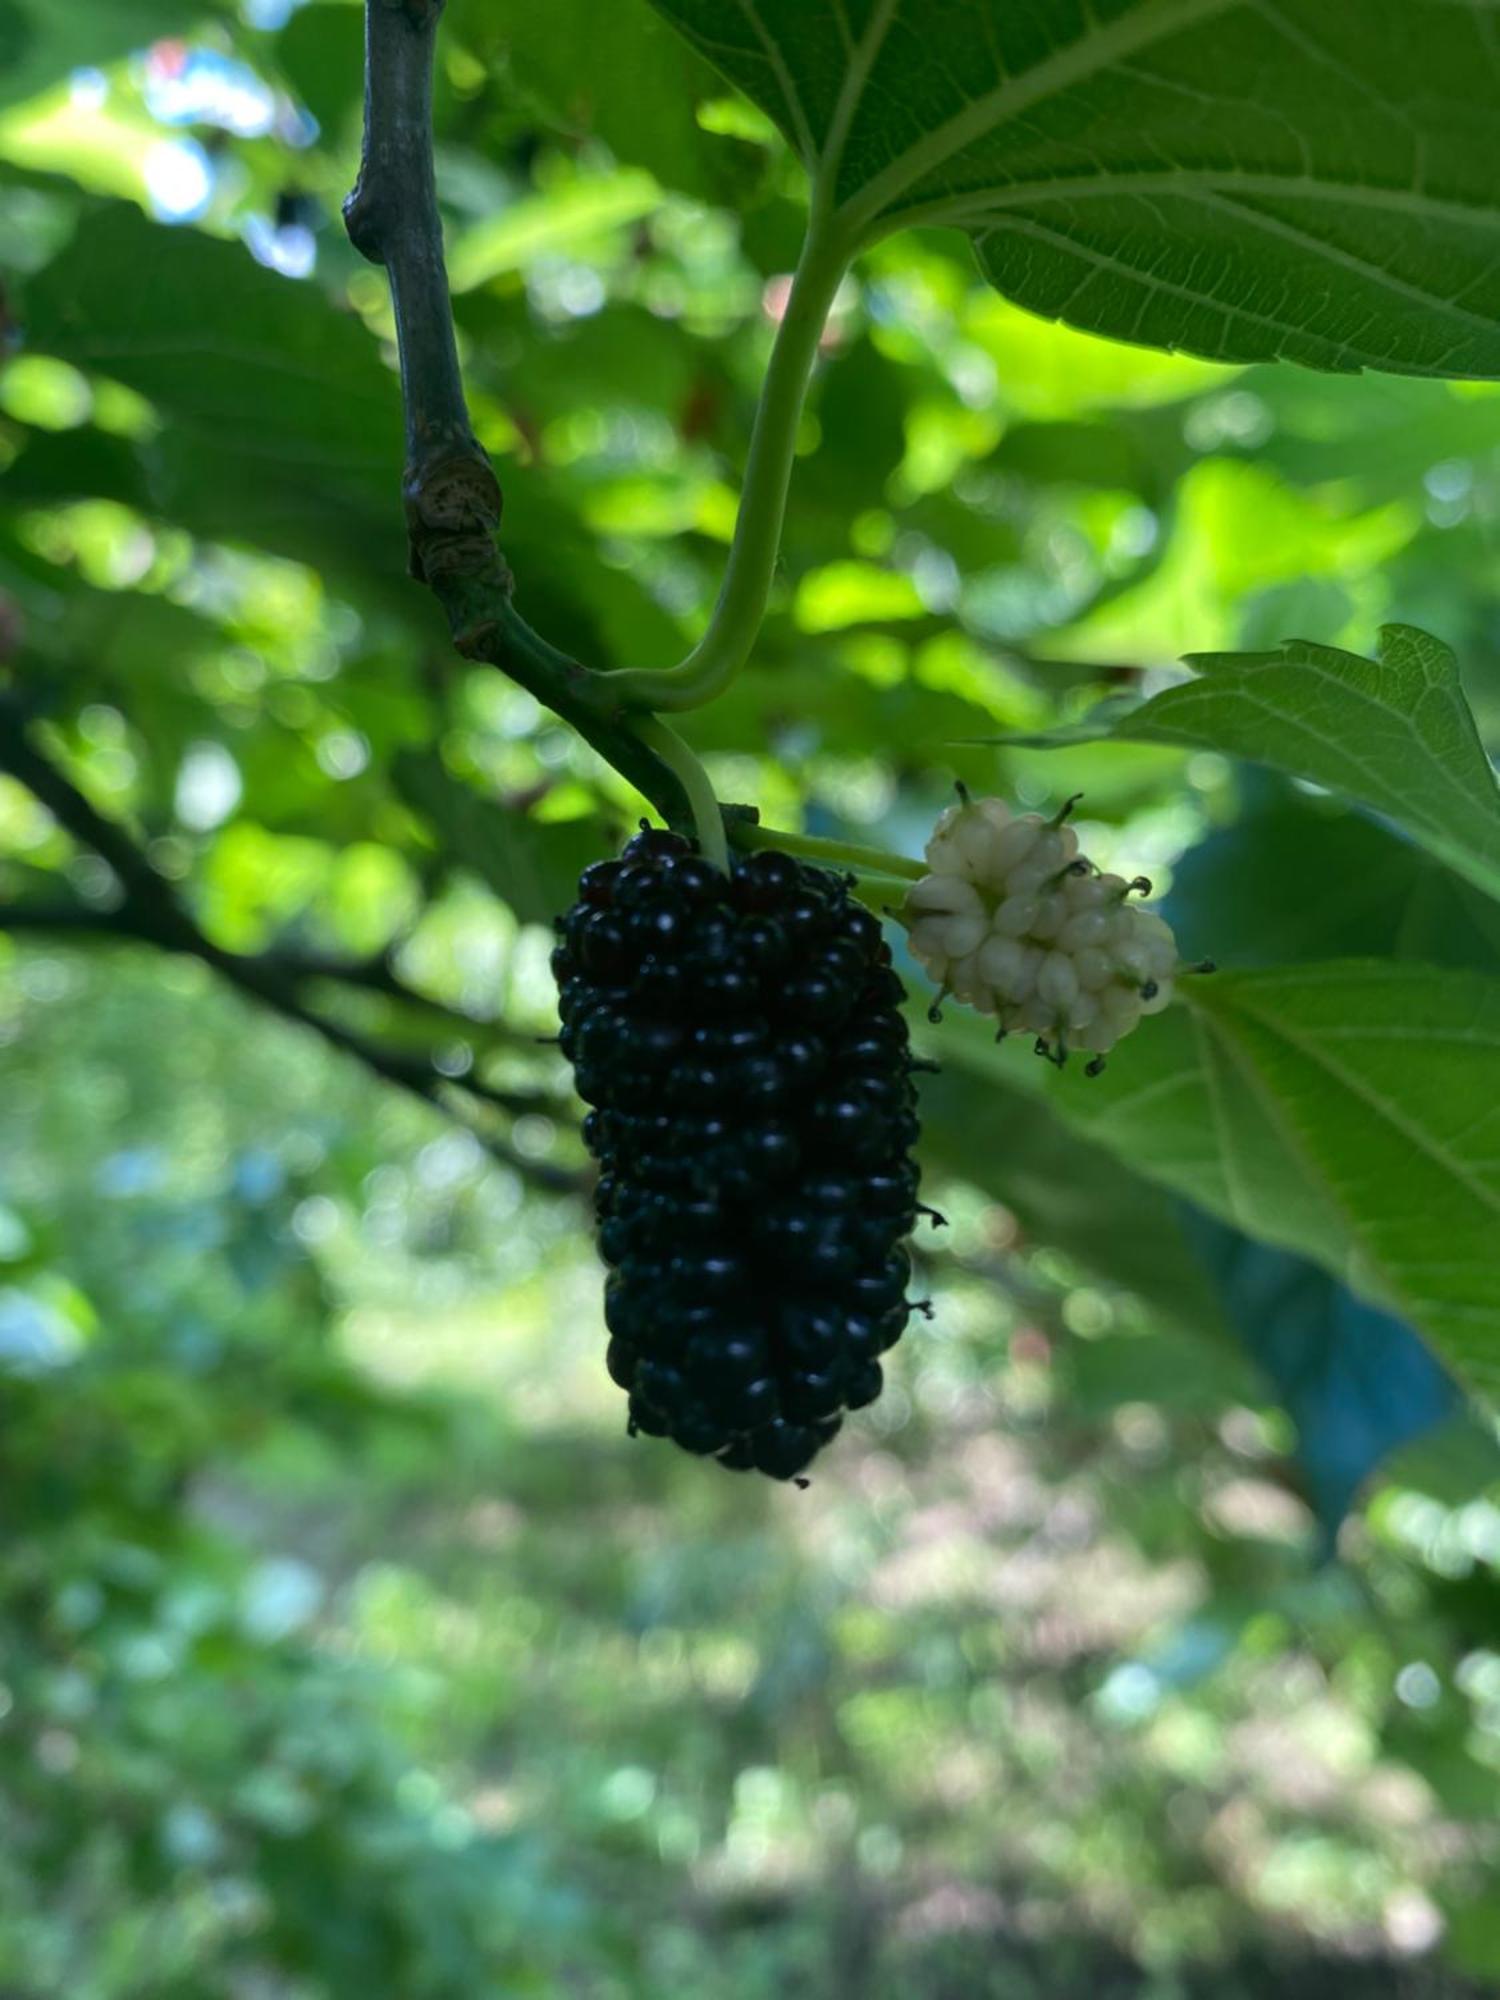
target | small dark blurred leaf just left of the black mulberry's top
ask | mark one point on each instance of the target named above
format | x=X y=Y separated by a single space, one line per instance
x=533 y=867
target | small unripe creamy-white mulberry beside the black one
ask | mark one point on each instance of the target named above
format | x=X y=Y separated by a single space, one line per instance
x=1017 y=923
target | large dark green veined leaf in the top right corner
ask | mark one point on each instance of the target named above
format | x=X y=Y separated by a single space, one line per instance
x=1299 y=181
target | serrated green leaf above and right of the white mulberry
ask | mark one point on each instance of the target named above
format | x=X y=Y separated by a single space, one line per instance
x=1395 y=735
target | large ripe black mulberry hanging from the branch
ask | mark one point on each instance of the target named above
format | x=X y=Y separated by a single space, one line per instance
x=753 y=1113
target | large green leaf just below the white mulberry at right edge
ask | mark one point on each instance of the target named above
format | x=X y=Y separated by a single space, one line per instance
x=1349 y=1111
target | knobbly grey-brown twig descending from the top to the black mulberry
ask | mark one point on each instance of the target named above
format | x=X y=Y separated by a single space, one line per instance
x=451 y=493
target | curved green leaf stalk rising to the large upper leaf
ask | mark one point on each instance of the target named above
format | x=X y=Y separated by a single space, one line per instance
x=741 y=607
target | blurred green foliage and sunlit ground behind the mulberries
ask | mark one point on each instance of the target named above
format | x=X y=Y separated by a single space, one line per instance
x=1145 y=1639
